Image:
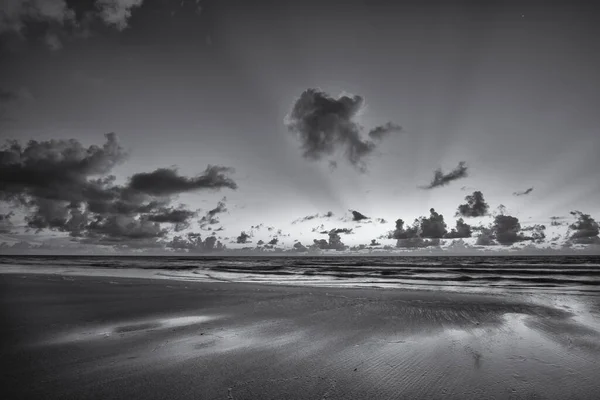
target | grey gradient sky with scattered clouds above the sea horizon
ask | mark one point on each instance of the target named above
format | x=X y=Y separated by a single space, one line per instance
x=250 y=115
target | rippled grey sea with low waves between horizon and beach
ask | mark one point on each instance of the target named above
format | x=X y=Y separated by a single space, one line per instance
x=455 y=273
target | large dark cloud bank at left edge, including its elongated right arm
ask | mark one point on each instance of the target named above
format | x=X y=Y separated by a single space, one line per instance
x=64 y=186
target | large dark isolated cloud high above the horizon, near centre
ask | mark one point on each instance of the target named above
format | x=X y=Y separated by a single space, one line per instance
x=326 y=125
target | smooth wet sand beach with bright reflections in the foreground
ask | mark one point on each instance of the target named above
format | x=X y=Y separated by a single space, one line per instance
x=76 y=337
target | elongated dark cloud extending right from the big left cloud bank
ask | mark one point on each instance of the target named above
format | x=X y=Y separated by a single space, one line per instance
x=166 y=181
